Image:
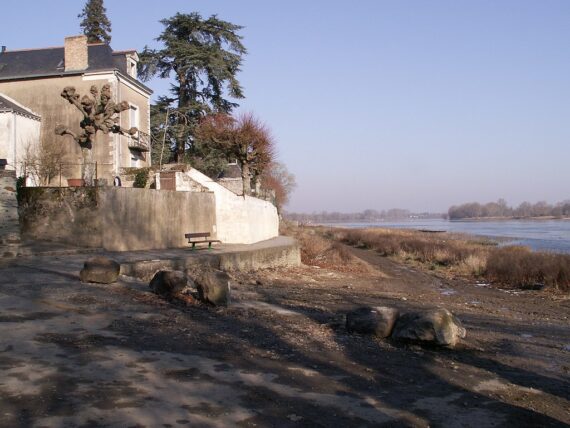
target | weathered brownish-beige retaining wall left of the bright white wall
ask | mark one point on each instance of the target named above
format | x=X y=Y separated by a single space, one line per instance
x=114 y=218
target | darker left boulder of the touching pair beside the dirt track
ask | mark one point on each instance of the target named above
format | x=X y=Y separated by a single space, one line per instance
x=377 y=320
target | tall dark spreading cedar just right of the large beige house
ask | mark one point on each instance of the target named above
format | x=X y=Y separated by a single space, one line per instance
x=204 y=57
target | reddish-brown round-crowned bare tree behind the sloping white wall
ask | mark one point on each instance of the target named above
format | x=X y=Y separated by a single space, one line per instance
x=244 y=139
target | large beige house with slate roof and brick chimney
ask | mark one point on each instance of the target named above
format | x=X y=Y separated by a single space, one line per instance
x=35 y=78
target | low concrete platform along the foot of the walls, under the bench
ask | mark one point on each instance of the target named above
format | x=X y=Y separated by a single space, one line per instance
x=281 y=251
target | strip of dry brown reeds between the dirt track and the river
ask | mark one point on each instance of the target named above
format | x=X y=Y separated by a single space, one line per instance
x=458 y=255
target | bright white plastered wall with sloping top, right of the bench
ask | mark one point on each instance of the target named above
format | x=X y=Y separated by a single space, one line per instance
x=239 y=219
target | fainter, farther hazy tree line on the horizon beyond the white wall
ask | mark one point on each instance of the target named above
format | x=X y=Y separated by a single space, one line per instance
x=366 y=216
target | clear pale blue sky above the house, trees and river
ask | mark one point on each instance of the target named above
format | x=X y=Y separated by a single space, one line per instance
x=380 y=104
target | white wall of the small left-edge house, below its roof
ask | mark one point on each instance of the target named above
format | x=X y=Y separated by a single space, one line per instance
x=17 y=132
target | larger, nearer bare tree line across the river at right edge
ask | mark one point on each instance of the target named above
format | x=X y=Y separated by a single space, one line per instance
x=501 y=209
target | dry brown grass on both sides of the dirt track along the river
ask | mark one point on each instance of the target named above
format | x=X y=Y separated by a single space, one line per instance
x=447 y=254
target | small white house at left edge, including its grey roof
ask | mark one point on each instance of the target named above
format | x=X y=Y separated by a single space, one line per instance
x=19 y=128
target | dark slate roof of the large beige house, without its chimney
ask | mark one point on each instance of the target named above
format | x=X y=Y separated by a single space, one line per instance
x=34 y=63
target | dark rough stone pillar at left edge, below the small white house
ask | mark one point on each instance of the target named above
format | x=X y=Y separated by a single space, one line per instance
x=9 y=225
